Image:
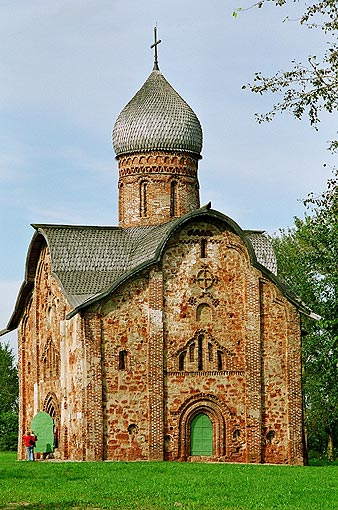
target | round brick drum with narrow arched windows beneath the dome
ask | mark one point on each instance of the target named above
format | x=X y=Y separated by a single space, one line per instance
x=156 y=187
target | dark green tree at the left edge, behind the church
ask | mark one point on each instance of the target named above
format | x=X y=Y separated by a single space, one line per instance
x=8 y=399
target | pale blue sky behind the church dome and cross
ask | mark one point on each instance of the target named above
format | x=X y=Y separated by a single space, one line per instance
x=69 y=67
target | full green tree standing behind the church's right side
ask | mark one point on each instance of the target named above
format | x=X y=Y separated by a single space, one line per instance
x=307 y=255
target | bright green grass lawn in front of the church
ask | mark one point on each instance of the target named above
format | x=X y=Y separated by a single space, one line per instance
x=164 y=485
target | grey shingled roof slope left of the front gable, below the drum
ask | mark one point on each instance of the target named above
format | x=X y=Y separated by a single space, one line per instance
x=87 y=260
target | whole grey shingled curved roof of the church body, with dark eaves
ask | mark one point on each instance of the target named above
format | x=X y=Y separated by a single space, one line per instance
x=90 y=262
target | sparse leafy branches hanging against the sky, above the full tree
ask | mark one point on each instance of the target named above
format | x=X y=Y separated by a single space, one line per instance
x=307 y=88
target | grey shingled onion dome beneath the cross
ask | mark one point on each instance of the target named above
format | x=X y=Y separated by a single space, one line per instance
x=157 y=118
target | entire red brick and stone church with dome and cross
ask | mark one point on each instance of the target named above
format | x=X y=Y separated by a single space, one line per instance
x=169 y=336
